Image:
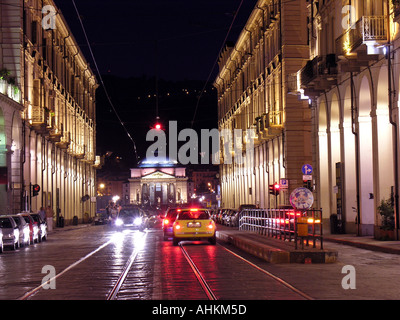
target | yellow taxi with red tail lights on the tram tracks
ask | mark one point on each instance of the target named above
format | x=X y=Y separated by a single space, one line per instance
x=193 y=224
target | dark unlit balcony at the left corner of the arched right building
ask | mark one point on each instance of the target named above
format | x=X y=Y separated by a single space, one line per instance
x=318 y=75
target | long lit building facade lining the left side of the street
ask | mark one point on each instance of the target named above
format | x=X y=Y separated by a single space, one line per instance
x=47 y=113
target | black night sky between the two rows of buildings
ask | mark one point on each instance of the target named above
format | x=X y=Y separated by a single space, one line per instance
x=176 y=40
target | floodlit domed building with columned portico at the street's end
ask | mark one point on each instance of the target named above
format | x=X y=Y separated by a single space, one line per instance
x=158 y=181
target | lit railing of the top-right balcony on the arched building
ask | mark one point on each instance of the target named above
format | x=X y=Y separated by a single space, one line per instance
x=366 y=29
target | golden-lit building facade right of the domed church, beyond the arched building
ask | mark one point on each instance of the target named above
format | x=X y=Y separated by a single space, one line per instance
x=252 y=94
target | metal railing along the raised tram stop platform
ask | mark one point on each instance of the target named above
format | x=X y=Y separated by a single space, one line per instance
x=285 y=224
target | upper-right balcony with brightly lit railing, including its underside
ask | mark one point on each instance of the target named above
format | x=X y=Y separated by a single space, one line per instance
x=361 y=43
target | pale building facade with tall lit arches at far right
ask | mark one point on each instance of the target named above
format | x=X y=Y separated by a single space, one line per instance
x=352 y=80
